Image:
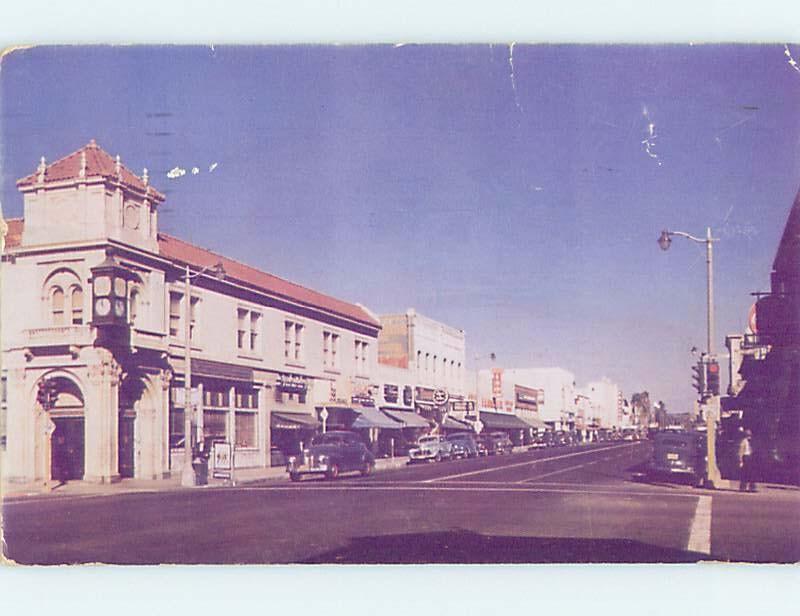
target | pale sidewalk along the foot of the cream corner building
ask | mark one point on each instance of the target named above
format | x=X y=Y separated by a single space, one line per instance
x=243 y=476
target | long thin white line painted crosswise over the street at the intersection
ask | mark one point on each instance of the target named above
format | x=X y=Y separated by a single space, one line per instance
x=451 y=488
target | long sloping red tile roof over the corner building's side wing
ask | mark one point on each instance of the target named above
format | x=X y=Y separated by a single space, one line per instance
x=184 y=252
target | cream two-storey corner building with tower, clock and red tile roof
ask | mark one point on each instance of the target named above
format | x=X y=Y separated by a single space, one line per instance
x=94 y=337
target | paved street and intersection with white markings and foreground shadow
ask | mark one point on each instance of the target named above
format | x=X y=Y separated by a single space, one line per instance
x=573 y=504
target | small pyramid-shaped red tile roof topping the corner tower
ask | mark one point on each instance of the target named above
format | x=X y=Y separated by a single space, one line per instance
x=99 y=163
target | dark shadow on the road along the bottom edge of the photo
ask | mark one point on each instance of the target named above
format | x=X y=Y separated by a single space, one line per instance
x=461 y=546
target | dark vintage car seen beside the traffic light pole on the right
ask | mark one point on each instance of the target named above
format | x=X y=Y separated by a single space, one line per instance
x=680 y=454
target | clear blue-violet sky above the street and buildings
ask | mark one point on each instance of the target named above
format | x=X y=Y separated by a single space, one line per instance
x=524 y=210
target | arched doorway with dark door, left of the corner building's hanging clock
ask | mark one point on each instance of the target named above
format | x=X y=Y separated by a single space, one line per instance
x=67 y=441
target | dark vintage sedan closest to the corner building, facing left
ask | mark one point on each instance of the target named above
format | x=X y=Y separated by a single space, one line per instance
x=330 y=454
